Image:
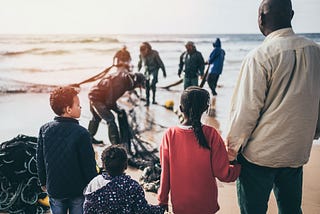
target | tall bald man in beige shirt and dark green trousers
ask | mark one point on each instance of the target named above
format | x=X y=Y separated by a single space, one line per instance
x=275 y=113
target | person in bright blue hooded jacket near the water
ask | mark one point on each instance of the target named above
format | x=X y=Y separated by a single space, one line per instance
x=216 y=60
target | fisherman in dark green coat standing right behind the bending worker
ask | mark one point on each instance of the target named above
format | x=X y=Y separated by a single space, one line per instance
x=151 y=62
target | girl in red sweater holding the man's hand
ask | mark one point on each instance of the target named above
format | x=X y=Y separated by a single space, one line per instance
x=192 y=156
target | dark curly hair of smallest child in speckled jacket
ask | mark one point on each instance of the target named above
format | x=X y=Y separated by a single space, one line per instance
x=114 y=159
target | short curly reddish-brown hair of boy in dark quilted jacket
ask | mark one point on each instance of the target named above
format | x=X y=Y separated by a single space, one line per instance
x=62 y=97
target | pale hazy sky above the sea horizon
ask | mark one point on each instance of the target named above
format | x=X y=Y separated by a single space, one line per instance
x=144 y=16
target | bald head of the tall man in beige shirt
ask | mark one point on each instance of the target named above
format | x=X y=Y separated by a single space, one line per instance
x=274 y=15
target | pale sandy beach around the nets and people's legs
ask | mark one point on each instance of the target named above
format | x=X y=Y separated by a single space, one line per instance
x=24 y=113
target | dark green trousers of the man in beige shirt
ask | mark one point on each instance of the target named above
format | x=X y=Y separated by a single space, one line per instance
x=255 y=184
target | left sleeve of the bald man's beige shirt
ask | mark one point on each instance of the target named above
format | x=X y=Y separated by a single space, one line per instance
x=247 y=102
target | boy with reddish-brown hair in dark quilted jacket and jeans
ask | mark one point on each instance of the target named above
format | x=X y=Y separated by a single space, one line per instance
x=65 y=157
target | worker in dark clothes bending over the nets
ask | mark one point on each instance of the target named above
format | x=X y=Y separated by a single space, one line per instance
x=103 y=98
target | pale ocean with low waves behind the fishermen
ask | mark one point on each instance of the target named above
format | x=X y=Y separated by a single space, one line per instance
x=65 y=59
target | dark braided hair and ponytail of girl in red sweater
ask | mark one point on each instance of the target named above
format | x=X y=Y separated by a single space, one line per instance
x=194 y=101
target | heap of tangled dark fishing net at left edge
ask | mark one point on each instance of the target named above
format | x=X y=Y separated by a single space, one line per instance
x=20 y=188
